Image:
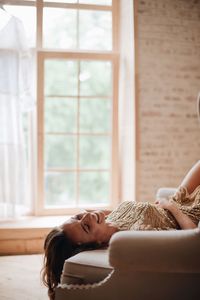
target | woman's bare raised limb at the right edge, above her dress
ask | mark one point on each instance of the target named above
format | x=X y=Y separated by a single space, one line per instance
x=192 y=178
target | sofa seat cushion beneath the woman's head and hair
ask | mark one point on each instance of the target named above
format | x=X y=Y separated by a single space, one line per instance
x=86 y=267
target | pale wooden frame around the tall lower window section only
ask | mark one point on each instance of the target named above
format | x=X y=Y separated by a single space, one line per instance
x=42 y=55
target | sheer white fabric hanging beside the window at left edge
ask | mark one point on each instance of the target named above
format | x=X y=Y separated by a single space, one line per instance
x=15 y=98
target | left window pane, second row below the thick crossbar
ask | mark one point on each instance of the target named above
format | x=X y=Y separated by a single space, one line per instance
x=60 y=115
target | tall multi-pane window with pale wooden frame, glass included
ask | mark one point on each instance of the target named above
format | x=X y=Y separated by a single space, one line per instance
x=77 y=99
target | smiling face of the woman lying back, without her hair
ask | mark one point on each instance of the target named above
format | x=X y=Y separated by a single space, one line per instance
x=89 y=228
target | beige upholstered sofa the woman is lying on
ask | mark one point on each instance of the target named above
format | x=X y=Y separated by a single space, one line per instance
x=137 y=265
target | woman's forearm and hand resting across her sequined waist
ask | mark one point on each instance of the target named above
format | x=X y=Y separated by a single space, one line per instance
x=183 y=220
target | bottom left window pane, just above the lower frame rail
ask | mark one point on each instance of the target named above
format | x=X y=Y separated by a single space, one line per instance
x=60 y=189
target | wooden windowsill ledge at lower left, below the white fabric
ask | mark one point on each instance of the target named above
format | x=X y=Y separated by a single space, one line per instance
x=26 y=235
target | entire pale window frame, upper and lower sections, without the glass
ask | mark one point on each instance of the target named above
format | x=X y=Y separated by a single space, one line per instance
x=37 y=142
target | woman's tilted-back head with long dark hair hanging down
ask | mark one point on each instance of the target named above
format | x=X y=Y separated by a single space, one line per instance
x=88 y=230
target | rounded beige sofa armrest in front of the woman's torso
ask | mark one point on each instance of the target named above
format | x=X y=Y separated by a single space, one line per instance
x=161 y=251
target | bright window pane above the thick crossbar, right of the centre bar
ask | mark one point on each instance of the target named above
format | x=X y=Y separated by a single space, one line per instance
x=95 y=30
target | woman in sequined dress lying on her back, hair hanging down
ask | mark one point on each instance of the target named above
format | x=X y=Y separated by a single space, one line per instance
x=90 y=230
